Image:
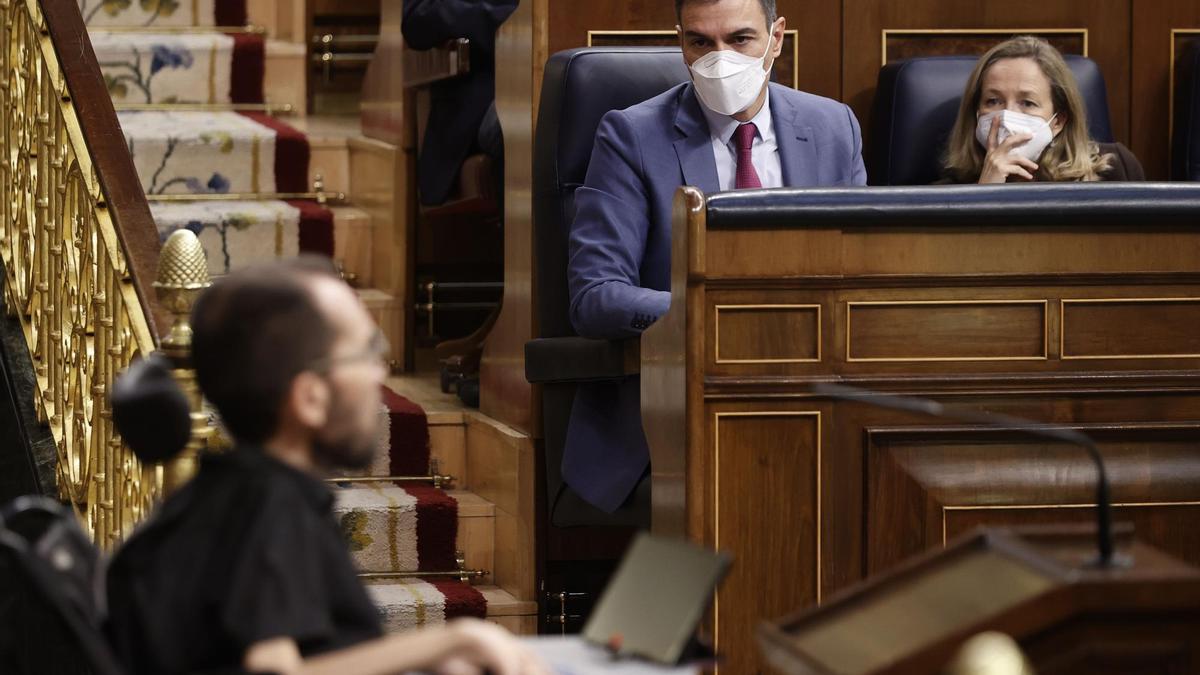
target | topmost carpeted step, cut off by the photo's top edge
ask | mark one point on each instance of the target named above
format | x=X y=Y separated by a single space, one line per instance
x=159 y=14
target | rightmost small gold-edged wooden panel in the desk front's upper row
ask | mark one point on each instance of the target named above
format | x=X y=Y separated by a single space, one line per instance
x=1131 y=328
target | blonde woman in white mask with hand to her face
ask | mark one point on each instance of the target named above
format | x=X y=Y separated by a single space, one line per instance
x=1023 y=118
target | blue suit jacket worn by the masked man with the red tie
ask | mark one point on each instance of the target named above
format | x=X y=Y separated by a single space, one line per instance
x=620 y=262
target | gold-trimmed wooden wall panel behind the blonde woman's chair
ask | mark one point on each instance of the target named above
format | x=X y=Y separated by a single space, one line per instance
x=1107 y=23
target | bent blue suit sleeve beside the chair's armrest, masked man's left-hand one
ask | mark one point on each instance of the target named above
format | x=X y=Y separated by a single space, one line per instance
x=608 y=240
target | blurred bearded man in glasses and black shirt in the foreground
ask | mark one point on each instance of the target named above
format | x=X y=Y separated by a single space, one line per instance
x=244 y=569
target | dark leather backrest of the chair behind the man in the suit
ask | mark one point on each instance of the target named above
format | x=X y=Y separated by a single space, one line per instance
x=579 y=87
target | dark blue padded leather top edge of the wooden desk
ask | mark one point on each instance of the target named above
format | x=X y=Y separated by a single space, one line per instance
x=1071 y=205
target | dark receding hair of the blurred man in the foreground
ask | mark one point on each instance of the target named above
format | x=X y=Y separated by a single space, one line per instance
x=254 y=332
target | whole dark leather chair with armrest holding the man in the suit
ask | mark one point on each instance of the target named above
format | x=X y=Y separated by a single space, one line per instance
x=579 y=87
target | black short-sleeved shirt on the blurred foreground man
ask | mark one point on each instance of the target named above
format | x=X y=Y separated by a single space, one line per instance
x=247 y=552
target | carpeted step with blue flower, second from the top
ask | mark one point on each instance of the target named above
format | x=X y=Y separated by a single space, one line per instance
x=203 y=68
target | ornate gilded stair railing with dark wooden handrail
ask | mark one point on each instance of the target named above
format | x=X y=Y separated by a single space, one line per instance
x=77 y=242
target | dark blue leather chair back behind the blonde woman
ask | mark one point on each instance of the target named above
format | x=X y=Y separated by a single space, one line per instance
x=916 y=104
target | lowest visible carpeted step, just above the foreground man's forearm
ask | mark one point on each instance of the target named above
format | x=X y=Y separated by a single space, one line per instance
x=412 y=604
